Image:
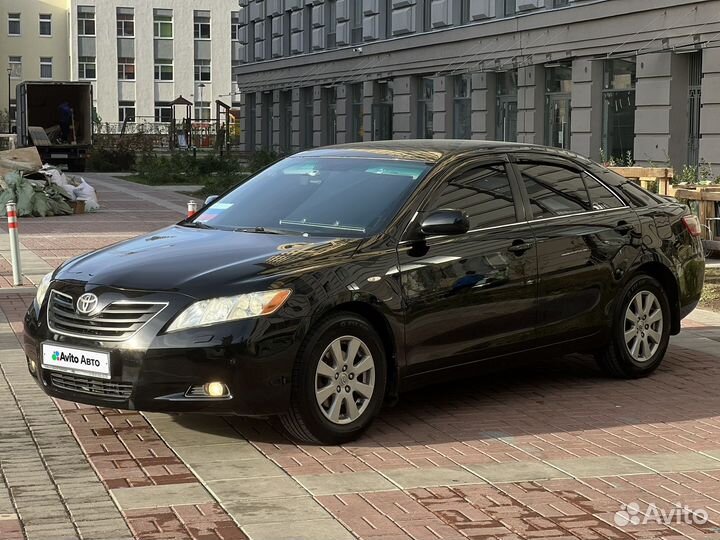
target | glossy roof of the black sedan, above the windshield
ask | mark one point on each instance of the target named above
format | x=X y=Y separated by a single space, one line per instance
x=429 y=150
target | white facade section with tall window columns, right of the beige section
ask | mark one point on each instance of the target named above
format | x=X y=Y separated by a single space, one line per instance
x=140 y=55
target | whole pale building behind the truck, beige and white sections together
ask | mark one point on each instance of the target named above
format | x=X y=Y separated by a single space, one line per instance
x=140 y=55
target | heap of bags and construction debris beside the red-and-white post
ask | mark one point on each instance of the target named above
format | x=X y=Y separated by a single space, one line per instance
x=41 y=190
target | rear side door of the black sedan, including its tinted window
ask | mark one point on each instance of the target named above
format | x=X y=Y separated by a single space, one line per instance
x=586 y=239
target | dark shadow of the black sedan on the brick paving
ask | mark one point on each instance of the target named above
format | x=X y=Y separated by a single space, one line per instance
x=533 y=397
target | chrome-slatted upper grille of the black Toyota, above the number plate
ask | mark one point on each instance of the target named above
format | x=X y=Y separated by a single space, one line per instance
x=118 y=321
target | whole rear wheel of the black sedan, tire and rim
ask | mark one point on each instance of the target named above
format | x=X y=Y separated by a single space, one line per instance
x=641 y=330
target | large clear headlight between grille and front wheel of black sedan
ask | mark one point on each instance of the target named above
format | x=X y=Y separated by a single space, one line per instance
x=230 y=308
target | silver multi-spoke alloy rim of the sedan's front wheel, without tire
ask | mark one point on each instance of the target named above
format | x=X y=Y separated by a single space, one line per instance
x=345 y=380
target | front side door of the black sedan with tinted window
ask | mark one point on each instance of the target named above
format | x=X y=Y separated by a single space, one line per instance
x=472 y=296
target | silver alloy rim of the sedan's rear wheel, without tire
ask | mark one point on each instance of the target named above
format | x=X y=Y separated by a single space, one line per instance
x=643 y=326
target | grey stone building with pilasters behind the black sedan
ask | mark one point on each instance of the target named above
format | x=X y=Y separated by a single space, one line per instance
x=625 y=79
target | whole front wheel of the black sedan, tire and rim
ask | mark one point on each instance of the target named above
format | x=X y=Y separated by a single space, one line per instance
x=319 y=412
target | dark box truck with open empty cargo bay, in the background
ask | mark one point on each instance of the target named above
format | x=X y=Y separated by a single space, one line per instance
x=57 y=118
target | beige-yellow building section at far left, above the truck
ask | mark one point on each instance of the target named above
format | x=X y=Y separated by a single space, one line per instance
x=34 y=45
